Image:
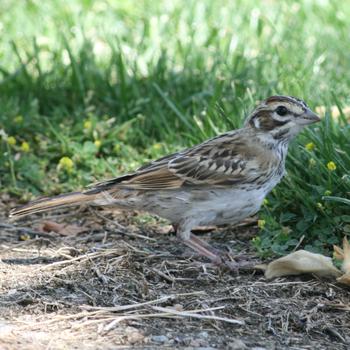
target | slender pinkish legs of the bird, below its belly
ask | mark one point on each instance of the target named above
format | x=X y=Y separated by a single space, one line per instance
x=198 y=245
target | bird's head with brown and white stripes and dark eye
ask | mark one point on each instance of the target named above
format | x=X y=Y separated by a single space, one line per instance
x=281 y=117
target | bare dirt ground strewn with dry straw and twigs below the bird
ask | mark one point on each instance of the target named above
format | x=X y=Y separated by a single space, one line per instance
x=132 y=285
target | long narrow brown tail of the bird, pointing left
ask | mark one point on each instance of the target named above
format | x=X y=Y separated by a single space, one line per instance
x=60 y=201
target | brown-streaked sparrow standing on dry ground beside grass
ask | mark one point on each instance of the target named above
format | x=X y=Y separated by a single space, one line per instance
x=220 y=181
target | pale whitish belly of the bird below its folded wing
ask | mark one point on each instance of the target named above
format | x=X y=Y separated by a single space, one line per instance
x=214 y=207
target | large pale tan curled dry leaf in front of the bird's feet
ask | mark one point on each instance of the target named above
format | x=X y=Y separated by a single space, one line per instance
x=301 y=262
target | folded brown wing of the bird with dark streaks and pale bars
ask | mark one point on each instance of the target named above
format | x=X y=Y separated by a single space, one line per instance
x=216 y=162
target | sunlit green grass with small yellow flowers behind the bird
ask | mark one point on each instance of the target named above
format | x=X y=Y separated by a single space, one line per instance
x=111 y=85
